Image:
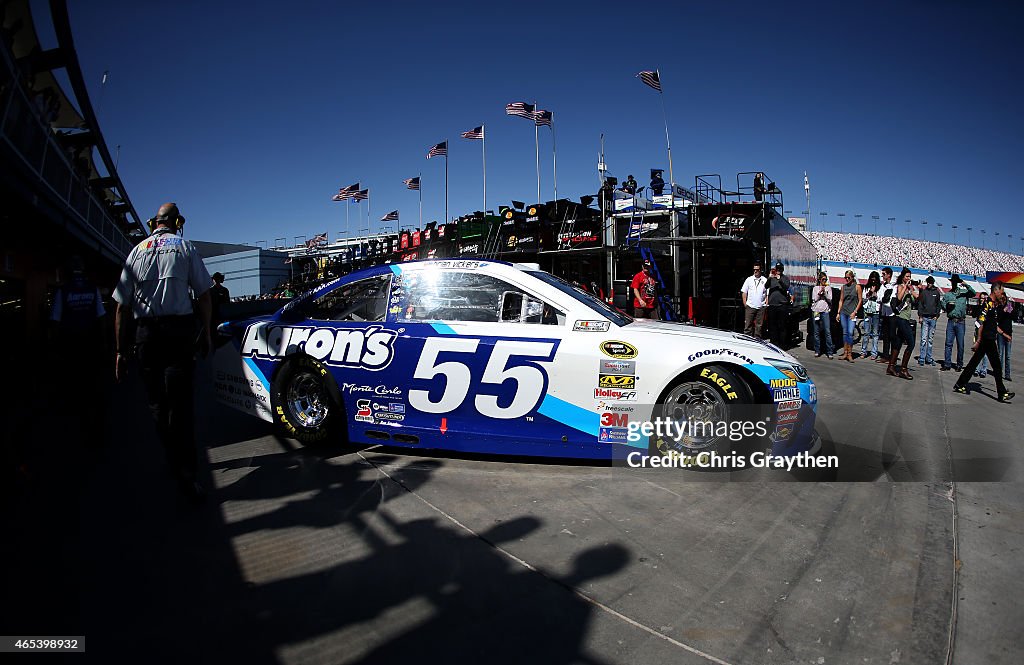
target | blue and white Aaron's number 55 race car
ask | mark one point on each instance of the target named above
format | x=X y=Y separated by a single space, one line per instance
x=489 y=357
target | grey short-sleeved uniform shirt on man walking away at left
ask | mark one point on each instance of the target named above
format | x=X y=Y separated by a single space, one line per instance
x=161 y=276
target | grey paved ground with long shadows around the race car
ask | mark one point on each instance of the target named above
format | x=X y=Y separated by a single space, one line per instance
x=912 y=548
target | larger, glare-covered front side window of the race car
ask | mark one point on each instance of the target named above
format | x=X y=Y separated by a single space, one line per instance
x=455 y=296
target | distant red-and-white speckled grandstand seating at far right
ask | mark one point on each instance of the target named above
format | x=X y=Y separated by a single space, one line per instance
x=886 y=251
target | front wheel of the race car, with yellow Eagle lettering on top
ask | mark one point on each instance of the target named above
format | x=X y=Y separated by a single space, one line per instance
x=710 y=394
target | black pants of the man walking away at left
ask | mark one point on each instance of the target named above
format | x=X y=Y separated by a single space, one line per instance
x=166 y=355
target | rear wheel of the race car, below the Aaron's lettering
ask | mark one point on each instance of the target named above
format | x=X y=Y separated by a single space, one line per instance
x=306 y=402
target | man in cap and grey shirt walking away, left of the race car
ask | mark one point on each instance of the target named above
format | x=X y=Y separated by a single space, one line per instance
x=161 y=276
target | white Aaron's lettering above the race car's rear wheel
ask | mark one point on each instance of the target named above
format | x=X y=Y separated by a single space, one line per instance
x=370 y=349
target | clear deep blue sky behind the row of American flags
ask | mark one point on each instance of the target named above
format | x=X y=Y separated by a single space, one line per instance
x=251 y=120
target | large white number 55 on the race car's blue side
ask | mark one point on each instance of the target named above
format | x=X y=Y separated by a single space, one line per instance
x=531 y=380
